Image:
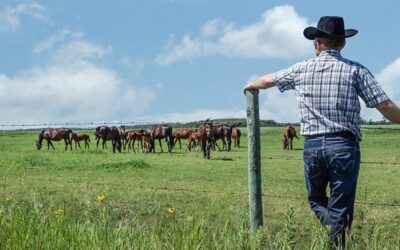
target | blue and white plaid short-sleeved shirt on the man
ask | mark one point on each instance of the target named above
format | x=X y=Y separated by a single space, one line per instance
x=327 y=88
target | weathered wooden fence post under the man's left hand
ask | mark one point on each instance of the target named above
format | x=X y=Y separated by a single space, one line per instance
x=254 y=160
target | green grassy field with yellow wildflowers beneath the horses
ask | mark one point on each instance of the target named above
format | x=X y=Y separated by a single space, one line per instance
x=94 y=199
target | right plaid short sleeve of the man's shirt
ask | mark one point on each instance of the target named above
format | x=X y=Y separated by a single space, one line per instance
x=369 y=89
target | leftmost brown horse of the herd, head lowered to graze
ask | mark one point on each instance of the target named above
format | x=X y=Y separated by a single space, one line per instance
x=54 y=134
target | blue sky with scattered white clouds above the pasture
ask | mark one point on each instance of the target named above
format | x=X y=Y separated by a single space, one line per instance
x=172 y=60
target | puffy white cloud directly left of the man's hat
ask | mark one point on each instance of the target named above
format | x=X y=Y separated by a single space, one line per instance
x=276 y=35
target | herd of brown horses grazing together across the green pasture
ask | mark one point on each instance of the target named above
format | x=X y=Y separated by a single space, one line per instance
x=205 y=137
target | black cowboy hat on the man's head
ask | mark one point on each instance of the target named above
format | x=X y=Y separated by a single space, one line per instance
x=329 y=26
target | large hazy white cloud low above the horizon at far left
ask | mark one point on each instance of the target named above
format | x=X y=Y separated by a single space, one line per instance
x=71 y=87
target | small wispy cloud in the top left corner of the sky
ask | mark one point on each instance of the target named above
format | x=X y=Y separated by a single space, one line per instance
x=10 y=17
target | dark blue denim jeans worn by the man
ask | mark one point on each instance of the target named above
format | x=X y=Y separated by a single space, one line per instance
x=335 y=160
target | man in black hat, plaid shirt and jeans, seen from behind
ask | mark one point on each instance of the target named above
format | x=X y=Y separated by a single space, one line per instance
x=327 y=88
